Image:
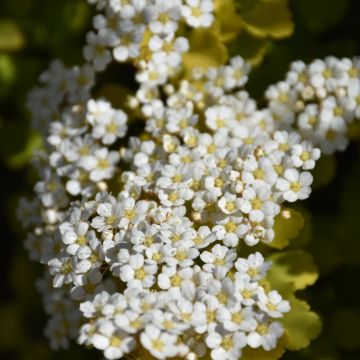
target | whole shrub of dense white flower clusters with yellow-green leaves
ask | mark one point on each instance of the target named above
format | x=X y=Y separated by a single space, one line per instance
x=154 y=221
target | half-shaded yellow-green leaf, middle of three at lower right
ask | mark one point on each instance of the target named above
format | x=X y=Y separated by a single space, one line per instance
x=291 y=270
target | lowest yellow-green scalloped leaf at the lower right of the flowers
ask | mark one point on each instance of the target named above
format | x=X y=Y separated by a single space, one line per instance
x=301 y=324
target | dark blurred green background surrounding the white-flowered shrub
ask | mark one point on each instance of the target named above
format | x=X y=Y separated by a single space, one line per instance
x=33 y=32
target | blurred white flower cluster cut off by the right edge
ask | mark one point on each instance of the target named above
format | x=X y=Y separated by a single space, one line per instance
x=320 y=100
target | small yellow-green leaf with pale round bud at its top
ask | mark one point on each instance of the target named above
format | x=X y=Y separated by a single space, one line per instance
x=287 y=226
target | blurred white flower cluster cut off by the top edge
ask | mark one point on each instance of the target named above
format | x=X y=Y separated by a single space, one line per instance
x=145 y=32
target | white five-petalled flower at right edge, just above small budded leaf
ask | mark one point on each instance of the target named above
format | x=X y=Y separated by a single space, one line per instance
x=294 y=185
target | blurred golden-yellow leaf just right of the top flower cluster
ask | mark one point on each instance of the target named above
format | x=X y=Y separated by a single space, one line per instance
x=206 y=50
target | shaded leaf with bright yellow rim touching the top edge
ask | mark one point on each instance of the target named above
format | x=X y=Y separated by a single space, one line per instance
x=269 y=18
